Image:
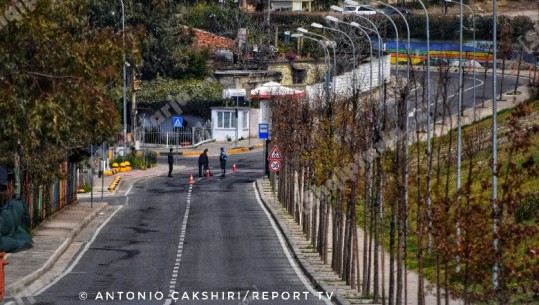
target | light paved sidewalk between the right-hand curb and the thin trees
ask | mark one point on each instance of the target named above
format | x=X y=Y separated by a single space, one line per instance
x=321 y=274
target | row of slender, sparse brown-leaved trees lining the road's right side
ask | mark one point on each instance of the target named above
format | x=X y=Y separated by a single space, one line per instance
x=350 y=161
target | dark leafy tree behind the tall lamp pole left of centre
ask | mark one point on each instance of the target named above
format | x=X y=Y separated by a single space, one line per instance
x=164 y=41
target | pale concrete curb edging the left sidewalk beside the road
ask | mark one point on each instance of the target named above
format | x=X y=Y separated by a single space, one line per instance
x=19 y=285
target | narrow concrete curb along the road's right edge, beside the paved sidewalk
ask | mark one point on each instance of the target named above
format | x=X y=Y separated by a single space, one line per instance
x=302 y=263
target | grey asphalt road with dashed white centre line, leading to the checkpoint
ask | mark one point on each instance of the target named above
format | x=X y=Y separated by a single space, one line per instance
x=209 y=243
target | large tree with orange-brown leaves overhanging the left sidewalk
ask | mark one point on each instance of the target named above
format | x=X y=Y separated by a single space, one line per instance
x=54 y=72
